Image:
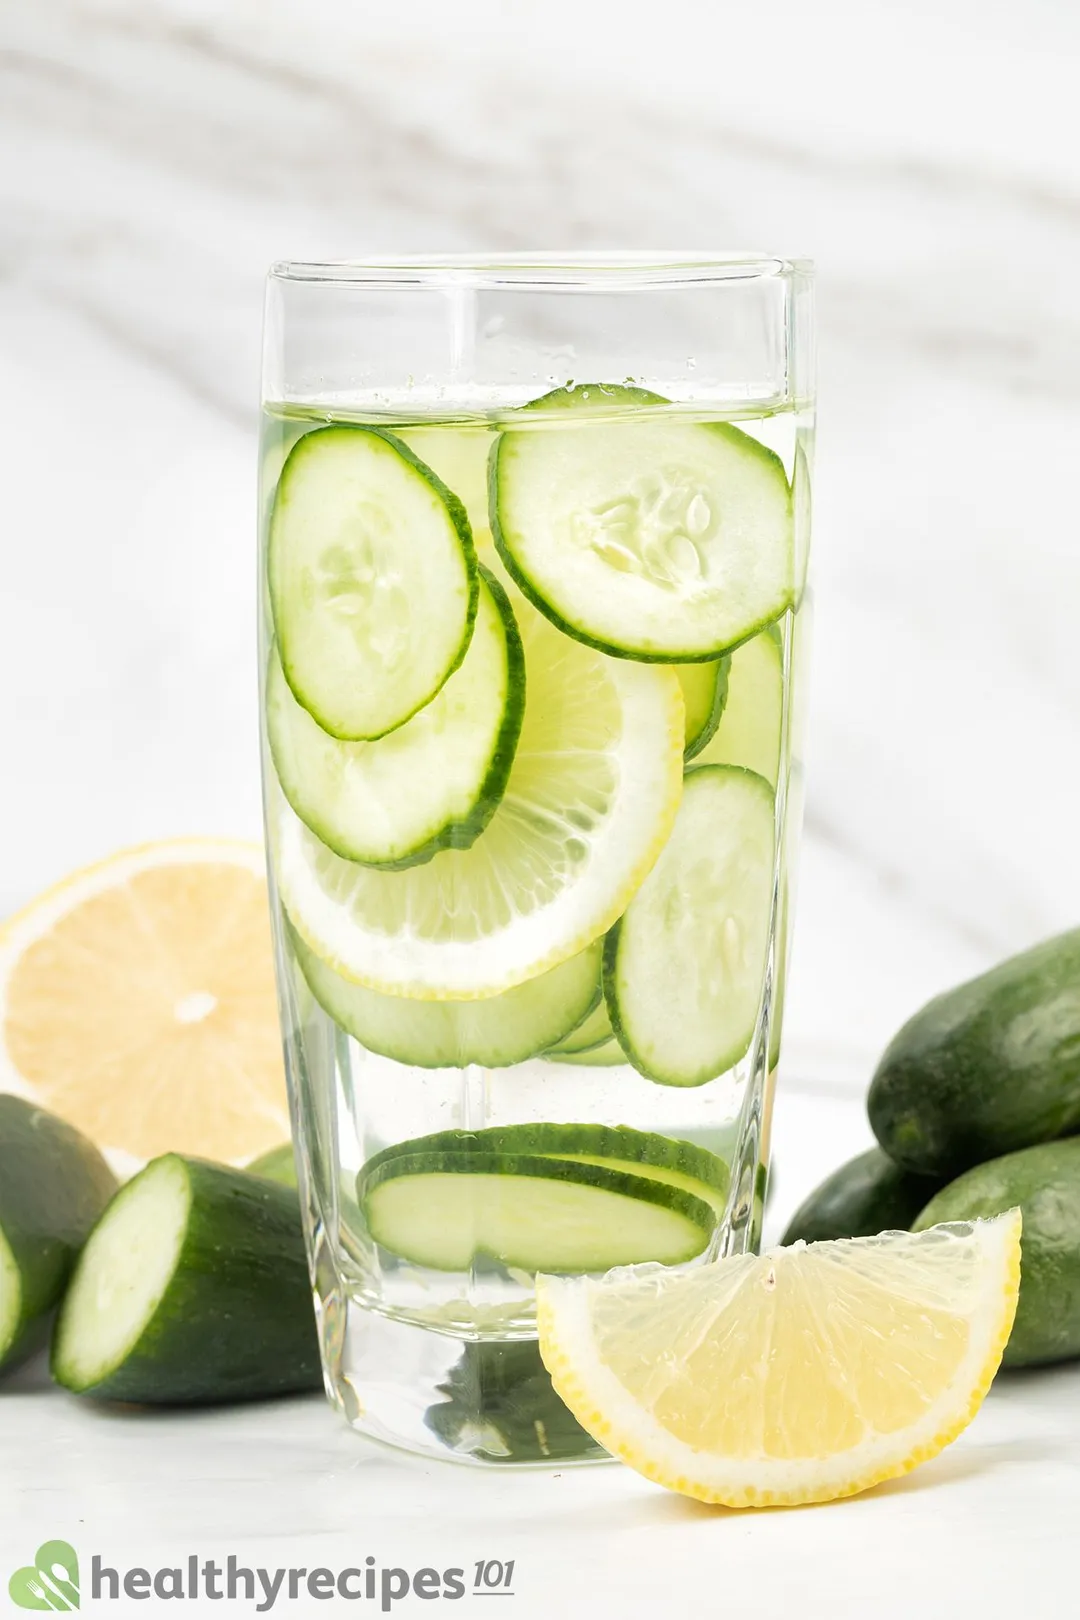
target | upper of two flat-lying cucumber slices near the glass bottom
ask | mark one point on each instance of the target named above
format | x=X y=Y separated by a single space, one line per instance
x=674 y=1162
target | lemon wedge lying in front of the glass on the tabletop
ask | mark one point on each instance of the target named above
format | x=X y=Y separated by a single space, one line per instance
x=807 y=1375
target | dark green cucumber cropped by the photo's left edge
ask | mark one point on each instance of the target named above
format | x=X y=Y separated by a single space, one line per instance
x=54 y=1185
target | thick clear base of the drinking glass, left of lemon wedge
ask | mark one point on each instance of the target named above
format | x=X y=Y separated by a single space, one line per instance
x=483 y=1402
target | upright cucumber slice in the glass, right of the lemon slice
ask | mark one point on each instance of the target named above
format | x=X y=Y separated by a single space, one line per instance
x=686 y=966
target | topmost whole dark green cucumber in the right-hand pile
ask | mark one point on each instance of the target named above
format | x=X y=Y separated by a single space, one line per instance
x=989 y=1068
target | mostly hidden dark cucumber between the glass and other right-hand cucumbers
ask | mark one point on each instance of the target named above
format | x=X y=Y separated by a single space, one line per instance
x=865 y=1196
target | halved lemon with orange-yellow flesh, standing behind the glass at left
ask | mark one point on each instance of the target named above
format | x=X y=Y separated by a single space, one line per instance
x=137 y=1002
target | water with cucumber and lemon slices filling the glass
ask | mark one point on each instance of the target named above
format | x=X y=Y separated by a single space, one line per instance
x=525 y=696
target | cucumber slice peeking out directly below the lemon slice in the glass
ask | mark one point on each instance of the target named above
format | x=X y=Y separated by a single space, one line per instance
x=453 y=1034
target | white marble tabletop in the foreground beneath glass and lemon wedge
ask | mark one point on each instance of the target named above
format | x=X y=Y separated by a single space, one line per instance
x=989 y=1528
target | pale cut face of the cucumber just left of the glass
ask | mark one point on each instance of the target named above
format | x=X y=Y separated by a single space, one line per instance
x=122 y=1276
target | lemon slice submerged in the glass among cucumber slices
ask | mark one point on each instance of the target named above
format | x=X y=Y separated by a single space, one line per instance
x=592 y=798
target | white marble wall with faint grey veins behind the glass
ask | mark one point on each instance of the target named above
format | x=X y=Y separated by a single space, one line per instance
x=155 y=158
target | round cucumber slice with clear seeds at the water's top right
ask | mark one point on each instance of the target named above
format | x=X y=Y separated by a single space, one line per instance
x=644 y=535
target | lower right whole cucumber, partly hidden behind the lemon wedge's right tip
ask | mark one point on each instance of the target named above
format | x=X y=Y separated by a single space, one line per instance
x=1045 y=1185
